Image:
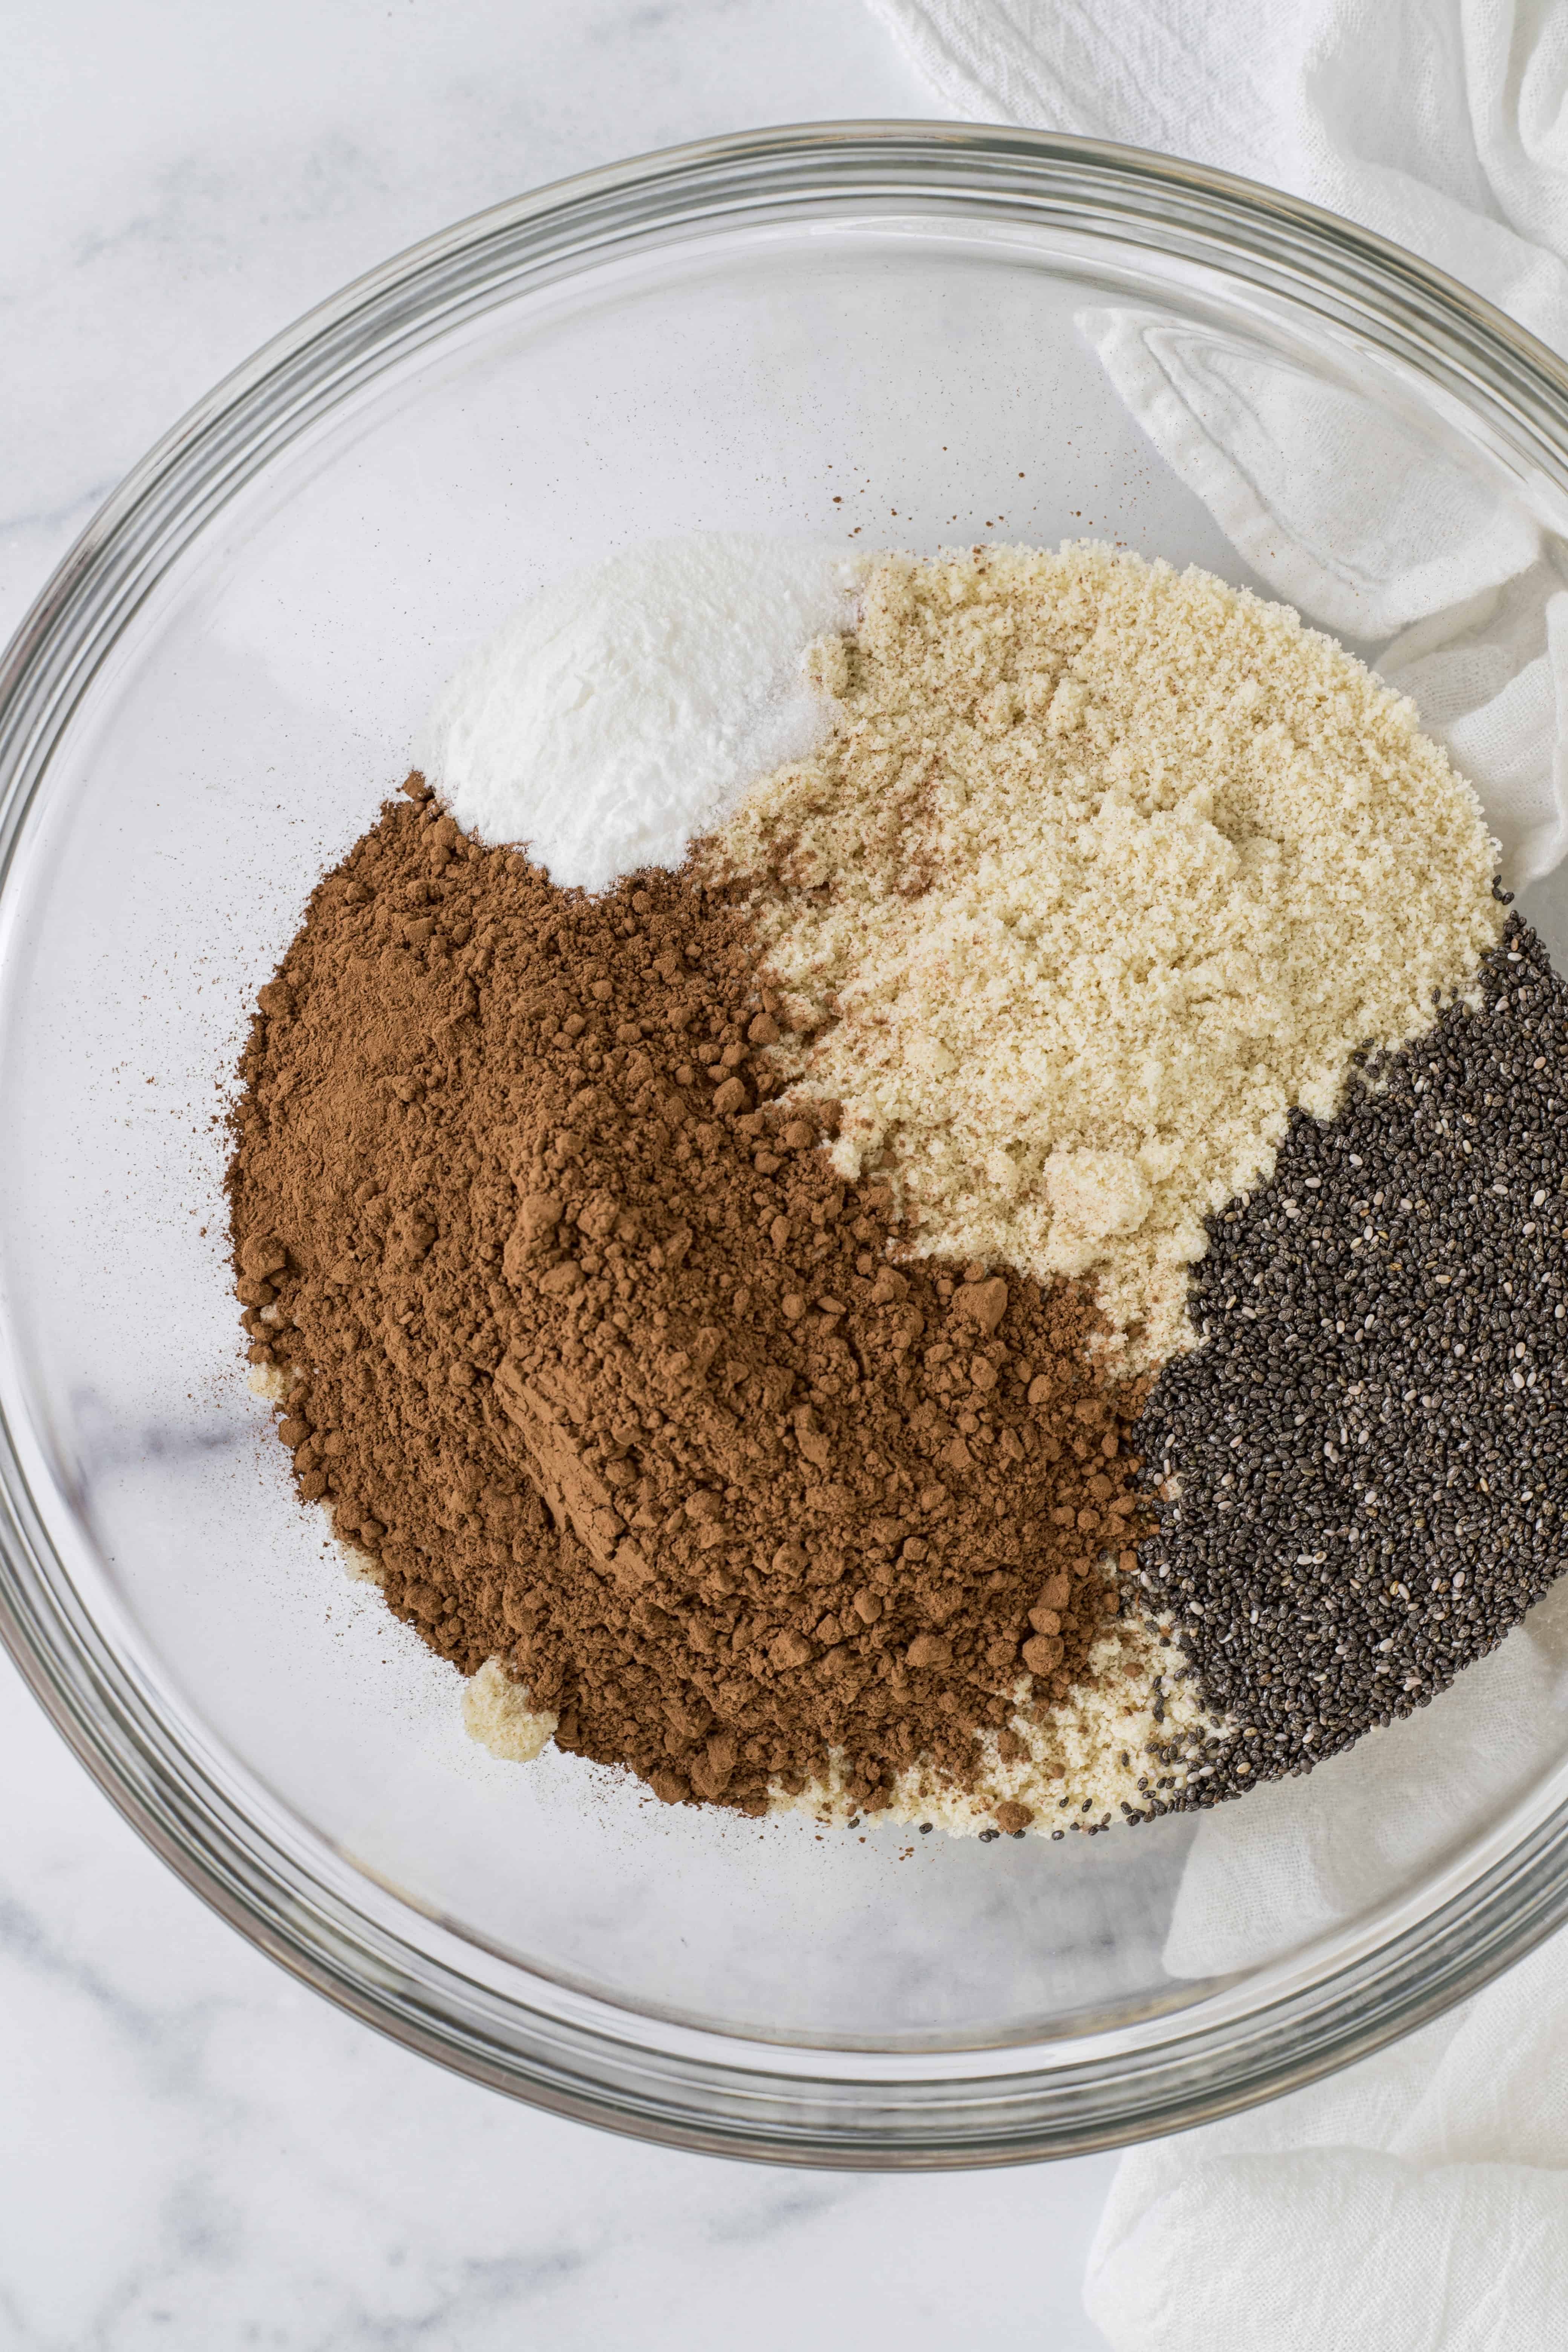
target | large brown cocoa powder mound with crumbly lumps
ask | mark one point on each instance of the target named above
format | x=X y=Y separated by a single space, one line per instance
x=610 y=1372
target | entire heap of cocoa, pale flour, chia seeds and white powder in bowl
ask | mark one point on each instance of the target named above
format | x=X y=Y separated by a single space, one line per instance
x=713 y=1311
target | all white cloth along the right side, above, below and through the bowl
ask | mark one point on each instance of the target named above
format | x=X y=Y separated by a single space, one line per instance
x=1416 y=2203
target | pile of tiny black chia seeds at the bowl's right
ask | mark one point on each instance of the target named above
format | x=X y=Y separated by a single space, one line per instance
x=1362 y=1469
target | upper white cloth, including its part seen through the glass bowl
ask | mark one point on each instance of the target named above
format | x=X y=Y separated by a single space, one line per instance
x=1440 y=123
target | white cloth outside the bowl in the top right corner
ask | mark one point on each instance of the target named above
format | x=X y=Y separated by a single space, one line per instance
x=1440 y=123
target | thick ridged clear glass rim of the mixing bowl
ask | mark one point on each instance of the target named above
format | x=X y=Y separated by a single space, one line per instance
x=570 y=2054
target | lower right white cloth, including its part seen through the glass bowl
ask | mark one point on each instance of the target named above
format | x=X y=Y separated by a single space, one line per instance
x=1416 y=2203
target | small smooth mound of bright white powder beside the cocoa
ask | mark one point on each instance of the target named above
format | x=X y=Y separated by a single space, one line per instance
x=622 y=711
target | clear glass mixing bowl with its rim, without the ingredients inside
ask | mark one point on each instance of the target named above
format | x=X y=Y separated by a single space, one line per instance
x=855 y=330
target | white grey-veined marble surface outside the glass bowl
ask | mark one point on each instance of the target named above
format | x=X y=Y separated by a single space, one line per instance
x=196 y=2153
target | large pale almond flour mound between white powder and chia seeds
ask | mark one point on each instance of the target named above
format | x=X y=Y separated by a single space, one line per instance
x=1101 y=874
